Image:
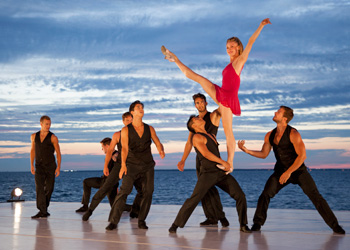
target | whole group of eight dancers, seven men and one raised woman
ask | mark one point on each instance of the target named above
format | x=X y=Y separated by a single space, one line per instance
x=134 y=164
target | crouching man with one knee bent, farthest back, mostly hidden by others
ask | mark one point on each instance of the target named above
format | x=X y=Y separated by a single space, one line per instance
x=97 y=182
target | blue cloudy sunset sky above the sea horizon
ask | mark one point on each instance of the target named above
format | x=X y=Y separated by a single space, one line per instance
x=83 y=62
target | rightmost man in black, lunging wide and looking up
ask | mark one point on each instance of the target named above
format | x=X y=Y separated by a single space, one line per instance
x=290 y=154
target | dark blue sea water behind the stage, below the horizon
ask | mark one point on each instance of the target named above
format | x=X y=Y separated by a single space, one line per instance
x=173 y=187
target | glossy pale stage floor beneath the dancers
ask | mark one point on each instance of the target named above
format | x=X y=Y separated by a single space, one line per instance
x=285 y=229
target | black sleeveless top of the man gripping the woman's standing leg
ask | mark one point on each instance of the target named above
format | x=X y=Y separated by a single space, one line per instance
x=207 y=166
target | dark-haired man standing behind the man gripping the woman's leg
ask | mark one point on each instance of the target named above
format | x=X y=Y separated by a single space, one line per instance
x=211 y=202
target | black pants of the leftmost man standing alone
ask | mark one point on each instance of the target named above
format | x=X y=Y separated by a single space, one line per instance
x=44 y=185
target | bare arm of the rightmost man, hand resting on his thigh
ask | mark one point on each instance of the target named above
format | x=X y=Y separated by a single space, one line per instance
x=299 y=147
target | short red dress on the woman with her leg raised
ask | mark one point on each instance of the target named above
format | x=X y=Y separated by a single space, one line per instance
x=227 y=95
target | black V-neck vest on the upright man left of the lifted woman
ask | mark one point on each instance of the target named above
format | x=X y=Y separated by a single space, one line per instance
x=140 y=157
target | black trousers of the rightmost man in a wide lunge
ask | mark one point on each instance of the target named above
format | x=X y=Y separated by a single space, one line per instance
x=307 y=184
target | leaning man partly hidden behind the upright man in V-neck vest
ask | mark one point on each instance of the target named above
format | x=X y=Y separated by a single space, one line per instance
x=111 y=172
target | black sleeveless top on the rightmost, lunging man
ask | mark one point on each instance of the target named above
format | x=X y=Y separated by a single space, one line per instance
x=284 y=152
